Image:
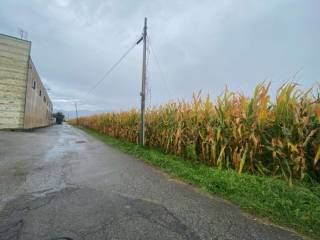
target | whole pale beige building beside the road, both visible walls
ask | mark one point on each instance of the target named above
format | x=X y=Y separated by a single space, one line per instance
x=22 y=106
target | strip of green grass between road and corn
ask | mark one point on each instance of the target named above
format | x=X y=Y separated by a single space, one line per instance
x=296 y=207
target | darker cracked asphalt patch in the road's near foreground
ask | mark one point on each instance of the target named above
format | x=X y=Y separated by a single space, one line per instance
x=110 y=215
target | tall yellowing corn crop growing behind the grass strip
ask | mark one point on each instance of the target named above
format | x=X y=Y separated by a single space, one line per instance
x=251 y=134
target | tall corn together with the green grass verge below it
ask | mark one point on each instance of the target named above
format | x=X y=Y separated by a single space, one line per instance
x=261 y=155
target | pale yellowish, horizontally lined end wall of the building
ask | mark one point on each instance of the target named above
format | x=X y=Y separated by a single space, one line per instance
x=14 y=55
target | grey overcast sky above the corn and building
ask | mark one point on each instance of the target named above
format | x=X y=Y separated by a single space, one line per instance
x=200 y=45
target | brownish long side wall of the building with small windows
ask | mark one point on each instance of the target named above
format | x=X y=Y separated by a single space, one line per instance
x=38 y=109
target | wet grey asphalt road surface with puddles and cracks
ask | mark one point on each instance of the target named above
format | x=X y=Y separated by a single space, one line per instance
x=60 y=183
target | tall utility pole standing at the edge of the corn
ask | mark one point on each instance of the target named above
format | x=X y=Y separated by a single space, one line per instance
x=144 y=78
